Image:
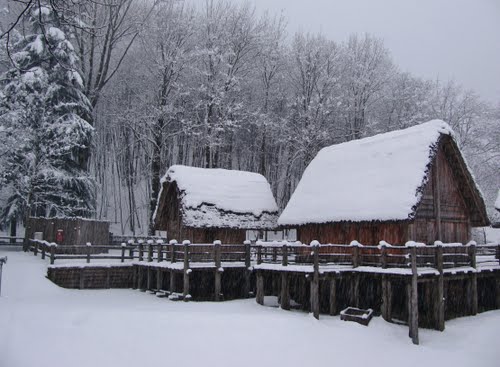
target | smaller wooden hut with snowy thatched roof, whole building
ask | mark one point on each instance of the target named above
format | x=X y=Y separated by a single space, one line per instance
x=207 y=204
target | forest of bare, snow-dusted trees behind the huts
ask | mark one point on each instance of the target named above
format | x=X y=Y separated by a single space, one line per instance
x=224 y=85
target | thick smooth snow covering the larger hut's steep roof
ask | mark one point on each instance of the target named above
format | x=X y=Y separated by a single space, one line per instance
x=376 y=178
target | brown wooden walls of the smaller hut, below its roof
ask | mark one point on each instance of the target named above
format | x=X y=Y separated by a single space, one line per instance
x=168 y=218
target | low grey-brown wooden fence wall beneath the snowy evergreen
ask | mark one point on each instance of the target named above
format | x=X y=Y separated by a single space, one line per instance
x=77 y=231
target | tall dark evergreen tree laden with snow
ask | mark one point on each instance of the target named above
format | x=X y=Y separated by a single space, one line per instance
x=45 y=124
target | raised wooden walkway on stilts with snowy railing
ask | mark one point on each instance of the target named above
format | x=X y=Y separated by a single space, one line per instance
x=408 y=280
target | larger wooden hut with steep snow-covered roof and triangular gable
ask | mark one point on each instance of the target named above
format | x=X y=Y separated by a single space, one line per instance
x=411 y=184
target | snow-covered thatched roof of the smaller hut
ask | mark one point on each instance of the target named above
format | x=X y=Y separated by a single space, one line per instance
x=212 y=197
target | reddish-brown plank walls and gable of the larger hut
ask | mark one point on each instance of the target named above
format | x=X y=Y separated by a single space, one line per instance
x=442 y=205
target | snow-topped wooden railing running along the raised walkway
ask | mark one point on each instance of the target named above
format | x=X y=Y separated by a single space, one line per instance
x=284 y=253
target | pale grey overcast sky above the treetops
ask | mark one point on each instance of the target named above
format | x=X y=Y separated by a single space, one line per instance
x=457 y=39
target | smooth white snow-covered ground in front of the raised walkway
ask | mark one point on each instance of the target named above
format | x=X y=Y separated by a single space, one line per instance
x=44 y=325
